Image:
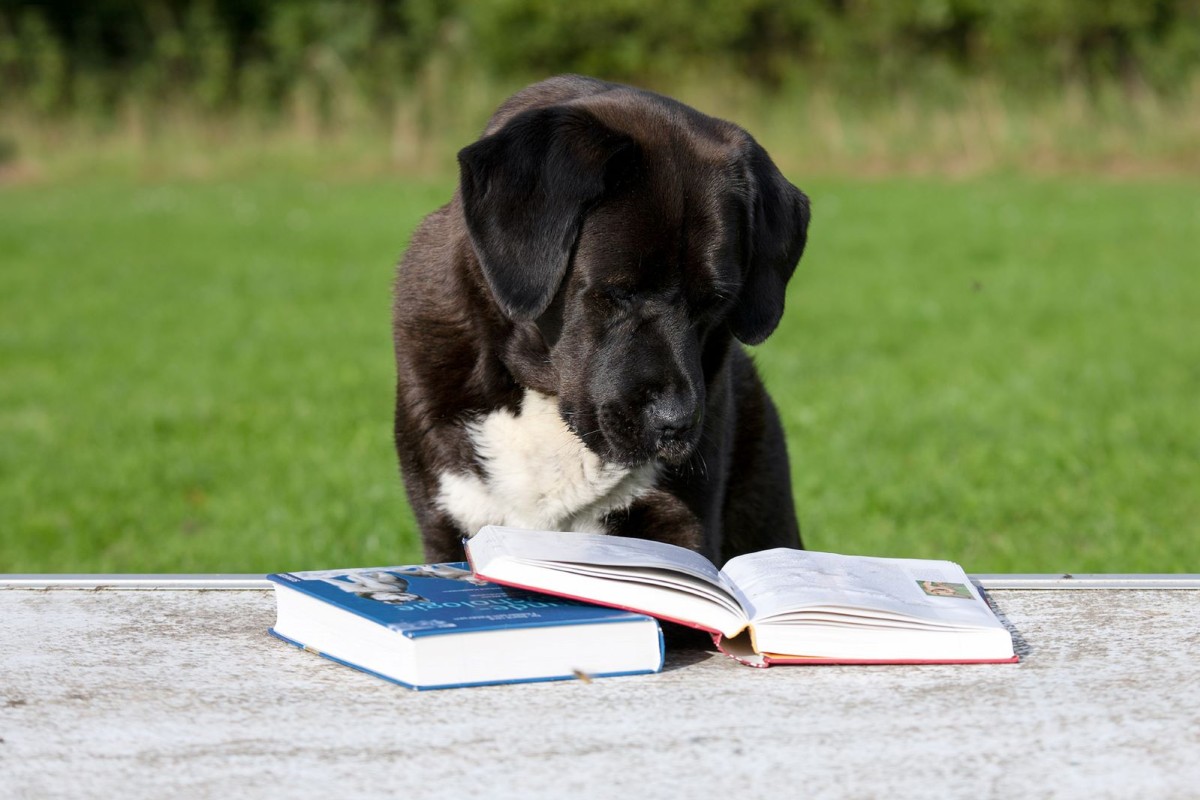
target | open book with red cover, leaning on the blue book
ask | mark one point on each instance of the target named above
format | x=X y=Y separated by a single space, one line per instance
x=778 y=606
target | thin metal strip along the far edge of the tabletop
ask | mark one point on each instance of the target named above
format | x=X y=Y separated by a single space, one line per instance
x=249 y=582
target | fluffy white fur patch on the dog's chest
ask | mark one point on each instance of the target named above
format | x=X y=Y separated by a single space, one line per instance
x=538 y=476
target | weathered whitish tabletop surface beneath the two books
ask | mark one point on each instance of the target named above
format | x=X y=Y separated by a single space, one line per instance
x=183 y=694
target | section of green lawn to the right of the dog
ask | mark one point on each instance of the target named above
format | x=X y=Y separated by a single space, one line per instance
x=1003 y=372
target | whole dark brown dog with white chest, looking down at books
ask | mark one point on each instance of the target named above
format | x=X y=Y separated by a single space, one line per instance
x=566 y=328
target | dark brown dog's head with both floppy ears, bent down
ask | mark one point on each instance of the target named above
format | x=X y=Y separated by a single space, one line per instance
x=629 y=238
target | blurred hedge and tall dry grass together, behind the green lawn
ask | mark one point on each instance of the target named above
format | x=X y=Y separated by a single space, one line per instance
x=908 y=86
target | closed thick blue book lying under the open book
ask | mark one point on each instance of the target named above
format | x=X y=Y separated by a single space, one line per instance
x=419 y=603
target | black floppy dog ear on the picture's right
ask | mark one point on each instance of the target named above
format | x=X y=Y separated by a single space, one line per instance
x=779 y=228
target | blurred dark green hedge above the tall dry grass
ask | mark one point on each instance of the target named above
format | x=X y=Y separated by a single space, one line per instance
x=64 y=56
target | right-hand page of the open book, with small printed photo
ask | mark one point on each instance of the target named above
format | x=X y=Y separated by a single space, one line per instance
x=779 y=584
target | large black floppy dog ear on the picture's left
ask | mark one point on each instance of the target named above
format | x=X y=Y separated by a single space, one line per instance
x=525 y=193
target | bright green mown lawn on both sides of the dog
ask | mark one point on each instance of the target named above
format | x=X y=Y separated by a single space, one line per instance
x=196 y=376
